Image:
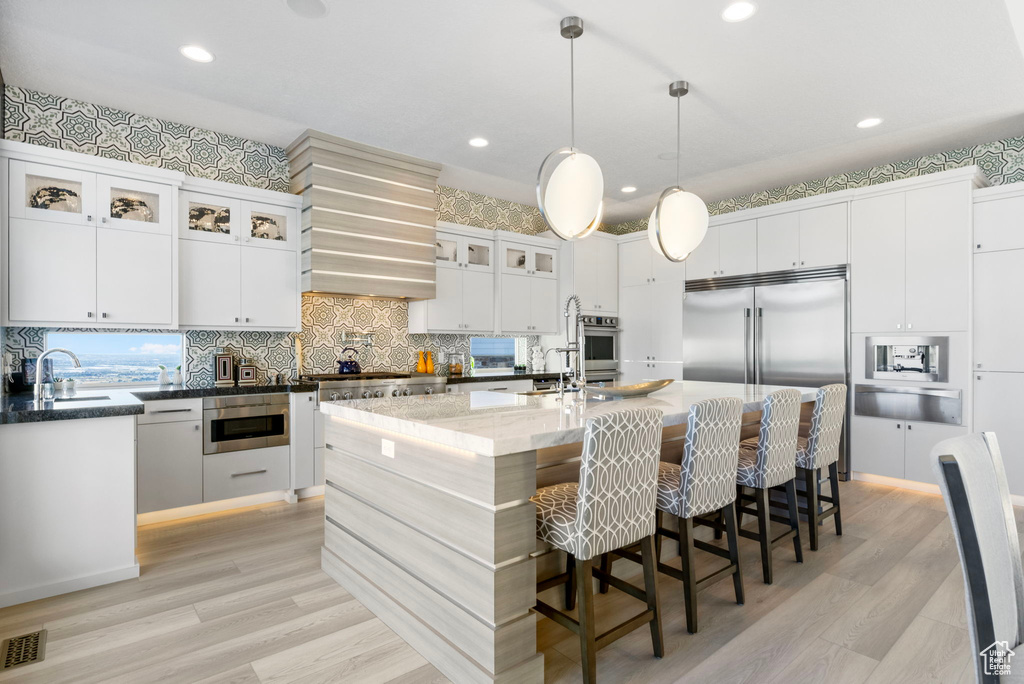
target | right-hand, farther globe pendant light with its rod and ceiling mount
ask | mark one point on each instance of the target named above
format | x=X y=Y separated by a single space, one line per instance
x=679 y=222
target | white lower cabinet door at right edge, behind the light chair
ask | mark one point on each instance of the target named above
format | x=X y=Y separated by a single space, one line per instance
x=997 y=410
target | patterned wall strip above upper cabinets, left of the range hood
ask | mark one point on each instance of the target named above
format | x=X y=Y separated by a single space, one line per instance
x=93 y=130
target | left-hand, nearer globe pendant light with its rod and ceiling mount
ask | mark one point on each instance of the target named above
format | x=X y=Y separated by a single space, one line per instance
x=570 y=185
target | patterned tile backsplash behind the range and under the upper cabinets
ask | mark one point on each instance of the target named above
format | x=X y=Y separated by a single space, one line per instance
x=324 y=321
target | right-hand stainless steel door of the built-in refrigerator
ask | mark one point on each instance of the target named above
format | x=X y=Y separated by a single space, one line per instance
x=800 y=333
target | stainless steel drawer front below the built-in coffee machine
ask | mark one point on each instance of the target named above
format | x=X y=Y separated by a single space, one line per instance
x=910 y=404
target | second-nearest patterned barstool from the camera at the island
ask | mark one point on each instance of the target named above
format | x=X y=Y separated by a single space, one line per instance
x=703 y=485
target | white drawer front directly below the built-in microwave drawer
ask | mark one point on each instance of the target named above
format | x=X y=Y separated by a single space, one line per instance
x=242 y=474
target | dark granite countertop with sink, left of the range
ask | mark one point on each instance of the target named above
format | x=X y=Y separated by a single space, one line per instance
x=117 y=402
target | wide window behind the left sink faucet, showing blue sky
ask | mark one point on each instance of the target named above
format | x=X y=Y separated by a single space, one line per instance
x=110 y=359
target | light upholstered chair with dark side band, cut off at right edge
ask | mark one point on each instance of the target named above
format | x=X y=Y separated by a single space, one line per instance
x=974 y=486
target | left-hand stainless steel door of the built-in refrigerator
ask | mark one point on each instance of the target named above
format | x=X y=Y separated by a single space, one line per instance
x=718 y=331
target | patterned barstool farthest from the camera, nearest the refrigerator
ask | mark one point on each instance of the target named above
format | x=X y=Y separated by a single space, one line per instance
x=821 y=450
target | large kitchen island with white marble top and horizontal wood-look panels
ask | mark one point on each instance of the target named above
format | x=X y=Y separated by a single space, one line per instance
x=429 y=519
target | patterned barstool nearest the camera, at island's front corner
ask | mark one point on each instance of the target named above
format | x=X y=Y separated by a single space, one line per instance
x=612 y=507
